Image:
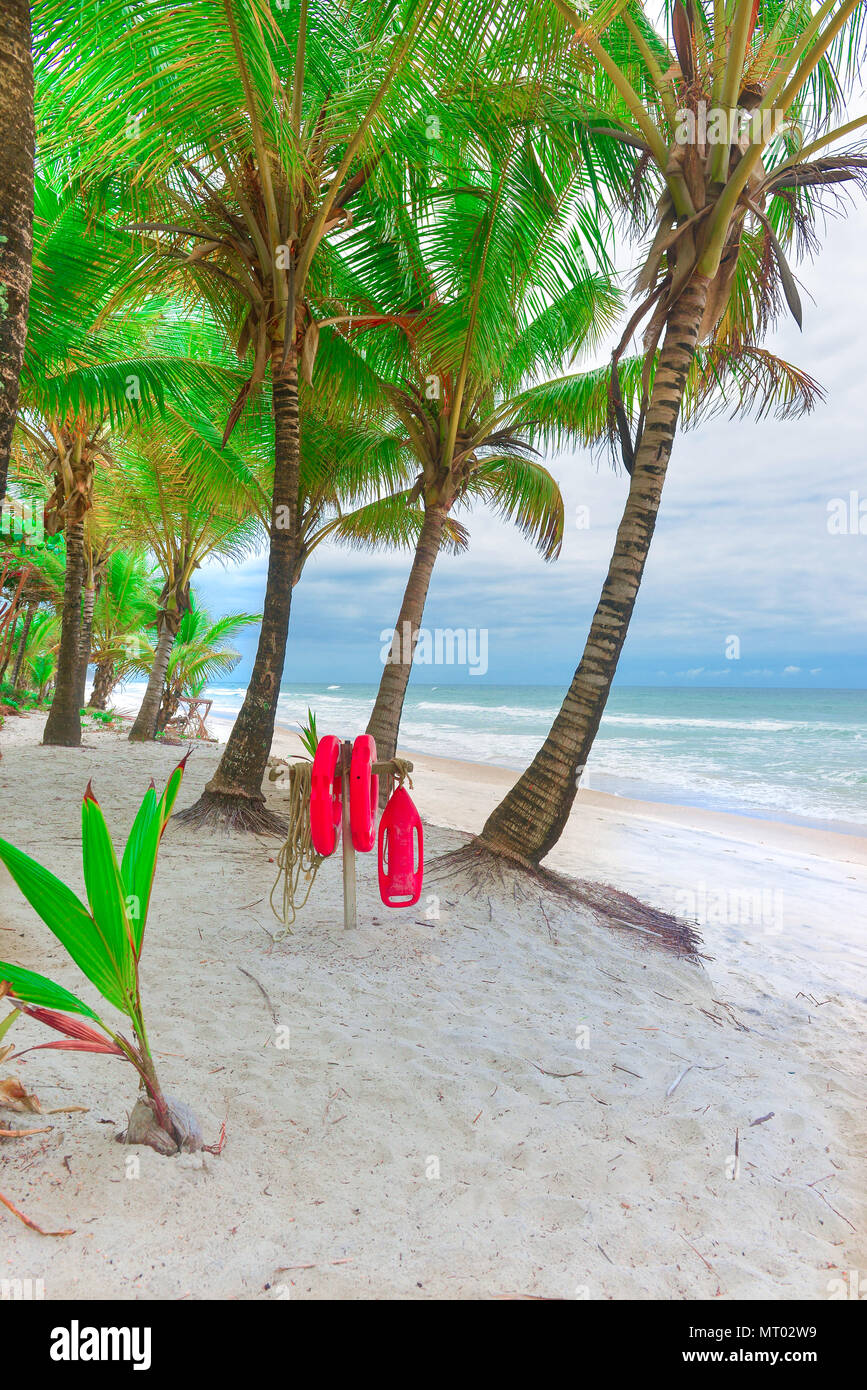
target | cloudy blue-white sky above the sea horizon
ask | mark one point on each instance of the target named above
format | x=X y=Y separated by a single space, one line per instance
x=743 y=548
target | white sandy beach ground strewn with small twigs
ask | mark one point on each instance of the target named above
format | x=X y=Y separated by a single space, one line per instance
x=408 y=1143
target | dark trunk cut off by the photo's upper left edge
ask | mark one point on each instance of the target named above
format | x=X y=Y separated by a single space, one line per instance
x=16 y=209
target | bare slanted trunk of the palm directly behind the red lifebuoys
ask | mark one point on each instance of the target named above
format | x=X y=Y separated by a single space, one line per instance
x=388 y=708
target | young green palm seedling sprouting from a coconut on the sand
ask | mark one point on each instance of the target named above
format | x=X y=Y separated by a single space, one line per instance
x=106 y=943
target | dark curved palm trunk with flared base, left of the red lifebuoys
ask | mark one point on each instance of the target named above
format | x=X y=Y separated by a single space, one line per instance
x=234 y=796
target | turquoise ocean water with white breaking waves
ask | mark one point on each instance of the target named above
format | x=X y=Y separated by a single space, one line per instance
x=788 y=755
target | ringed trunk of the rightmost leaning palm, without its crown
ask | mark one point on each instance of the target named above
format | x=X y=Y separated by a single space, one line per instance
x=531 y=818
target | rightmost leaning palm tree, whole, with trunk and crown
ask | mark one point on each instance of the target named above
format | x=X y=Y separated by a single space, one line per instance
x=726 y=202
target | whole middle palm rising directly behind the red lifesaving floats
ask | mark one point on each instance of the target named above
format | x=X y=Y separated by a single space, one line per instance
x=493 y=286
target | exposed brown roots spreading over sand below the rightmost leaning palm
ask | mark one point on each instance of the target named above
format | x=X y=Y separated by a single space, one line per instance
x=483 y=869
